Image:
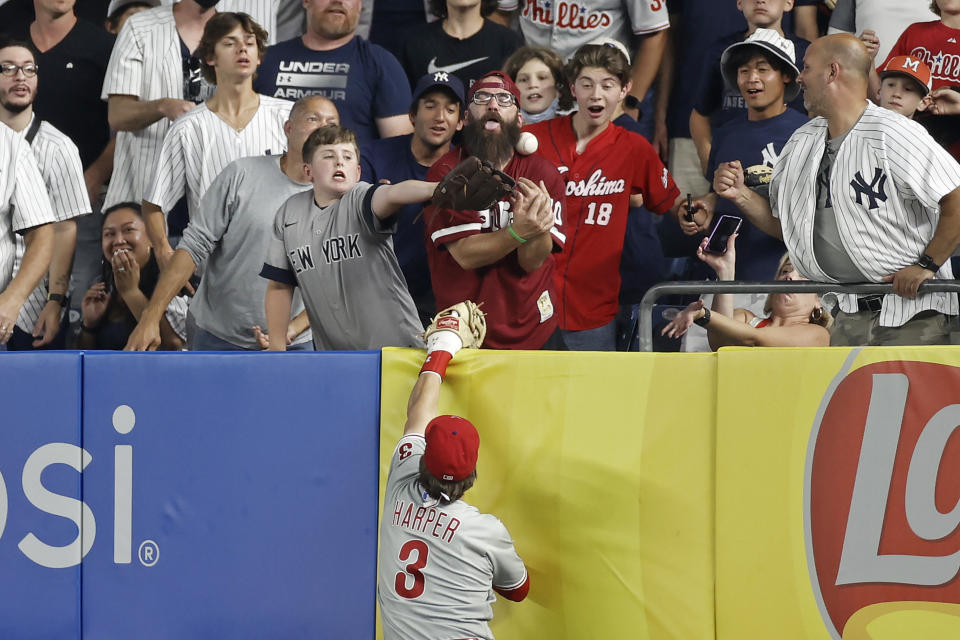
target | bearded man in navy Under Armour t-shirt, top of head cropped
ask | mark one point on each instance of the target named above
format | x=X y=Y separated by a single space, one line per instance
x=364 y=80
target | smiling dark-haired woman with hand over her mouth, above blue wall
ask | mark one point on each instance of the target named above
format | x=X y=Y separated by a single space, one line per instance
x=112 y=306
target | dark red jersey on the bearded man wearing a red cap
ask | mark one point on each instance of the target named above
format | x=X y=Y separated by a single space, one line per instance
x=519 y=305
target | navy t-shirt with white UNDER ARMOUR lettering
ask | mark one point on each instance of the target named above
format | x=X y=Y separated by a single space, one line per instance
x=364 y=80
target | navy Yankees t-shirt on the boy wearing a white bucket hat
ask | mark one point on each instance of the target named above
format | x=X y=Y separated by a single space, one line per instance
x=752 y=143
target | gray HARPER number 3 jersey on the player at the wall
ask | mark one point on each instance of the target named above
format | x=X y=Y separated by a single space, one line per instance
x=438 y=563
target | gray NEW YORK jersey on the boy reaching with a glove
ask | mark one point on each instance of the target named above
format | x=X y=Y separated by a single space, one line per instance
x=342 y=258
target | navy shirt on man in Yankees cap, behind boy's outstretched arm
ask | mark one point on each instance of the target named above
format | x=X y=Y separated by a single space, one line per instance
x=391 y=159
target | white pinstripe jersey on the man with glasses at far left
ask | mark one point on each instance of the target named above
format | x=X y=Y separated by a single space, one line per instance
x=59 y=162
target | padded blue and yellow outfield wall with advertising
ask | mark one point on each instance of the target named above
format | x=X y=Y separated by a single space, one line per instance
x=796 y=493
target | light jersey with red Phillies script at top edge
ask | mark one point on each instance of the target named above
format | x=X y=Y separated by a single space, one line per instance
x=565 y=25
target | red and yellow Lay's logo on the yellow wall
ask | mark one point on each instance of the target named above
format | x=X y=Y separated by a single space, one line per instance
x=882 y=502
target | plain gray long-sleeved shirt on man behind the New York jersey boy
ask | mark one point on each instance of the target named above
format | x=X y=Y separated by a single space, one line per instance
x=229 y=235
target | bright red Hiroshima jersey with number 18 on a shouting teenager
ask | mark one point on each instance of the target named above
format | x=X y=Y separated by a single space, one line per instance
x=599 y=182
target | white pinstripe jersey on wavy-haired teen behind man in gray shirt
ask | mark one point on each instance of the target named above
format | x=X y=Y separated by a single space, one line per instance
x=200 y=144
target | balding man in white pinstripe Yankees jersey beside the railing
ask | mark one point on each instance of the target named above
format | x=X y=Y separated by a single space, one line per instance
x=862 y=194
